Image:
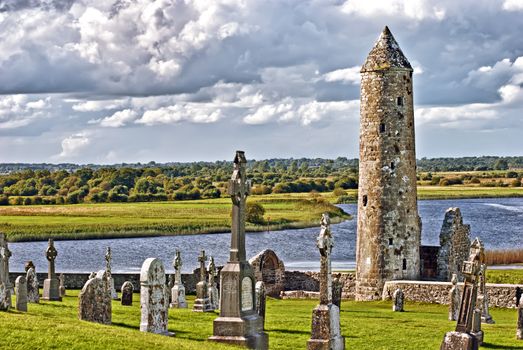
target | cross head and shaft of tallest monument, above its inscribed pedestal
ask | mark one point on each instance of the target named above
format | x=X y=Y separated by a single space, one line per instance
x=239 y=189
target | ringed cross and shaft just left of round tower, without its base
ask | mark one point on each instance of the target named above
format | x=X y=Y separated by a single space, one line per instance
x=325 y=242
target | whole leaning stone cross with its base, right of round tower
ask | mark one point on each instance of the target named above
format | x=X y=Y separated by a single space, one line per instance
x=462 y=338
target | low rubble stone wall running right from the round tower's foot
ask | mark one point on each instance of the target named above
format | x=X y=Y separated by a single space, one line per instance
x=500 y=295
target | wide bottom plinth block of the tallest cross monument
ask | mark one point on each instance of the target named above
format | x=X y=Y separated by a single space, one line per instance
x=245 y=331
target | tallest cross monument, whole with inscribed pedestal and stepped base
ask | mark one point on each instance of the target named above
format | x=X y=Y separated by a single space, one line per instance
x=238 y=322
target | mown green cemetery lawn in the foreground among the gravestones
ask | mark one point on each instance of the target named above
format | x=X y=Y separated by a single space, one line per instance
x=365 y=325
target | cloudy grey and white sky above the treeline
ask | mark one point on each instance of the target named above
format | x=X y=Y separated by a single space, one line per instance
x=109 y=81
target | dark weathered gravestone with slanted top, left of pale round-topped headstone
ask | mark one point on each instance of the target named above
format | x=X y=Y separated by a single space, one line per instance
x=94 y=301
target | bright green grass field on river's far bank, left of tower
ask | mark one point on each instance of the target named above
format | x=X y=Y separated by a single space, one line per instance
x=40 y=222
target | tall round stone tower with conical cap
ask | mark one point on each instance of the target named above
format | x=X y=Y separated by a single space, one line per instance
x=389 y=228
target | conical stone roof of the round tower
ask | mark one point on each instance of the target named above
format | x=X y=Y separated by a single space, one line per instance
x=385 y=54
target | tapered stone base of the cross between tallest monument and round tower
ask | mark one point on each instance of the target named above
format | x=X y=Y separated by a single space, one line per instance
x=326 y=333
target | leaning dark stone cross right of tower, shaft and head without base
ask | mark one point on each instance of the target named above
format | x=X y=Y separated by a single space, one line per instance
x=471 y=269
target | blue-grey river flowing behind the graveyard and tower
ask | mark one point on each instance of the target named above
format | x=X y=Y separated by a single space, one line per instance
x=497 y=221
